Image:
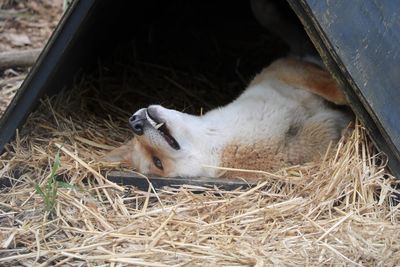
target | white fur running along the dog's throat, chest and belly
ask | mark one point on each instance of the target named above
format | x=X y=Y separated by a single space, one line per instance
x=264 y=111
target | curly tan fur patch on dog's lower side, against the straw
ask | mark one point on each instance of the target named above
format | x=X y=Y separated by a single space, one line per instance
x=308 y=144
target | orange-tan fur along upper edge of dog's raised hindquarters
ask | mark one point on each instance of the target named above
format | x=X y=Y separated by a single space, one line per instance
x=306 y=76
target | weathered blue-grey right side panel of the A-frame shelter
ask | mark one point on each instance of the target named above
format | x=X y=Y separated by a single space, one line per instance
x=359 y=40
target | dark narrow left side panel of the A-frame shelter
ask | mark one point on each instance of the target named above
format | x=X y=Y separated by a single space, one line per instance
x=41 y=78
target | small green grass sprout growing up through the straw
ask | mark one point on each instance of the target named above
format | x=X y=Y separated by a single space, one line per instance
x=49 y=192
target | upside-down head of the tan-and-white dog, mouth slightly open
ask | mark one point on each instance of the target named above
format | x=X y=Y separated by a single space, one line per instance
x=164 y=144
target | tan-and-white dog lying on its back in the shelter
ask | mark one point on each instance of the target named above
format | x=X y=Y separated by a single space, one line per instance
x=281 y=119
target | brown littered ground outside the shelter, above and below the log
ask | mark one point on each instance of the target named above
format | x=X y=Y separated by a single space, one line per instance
x=24 y=24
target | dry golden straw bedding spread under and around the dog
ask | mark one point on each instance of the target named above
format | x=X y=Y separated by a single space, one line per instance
x=338 y=212
